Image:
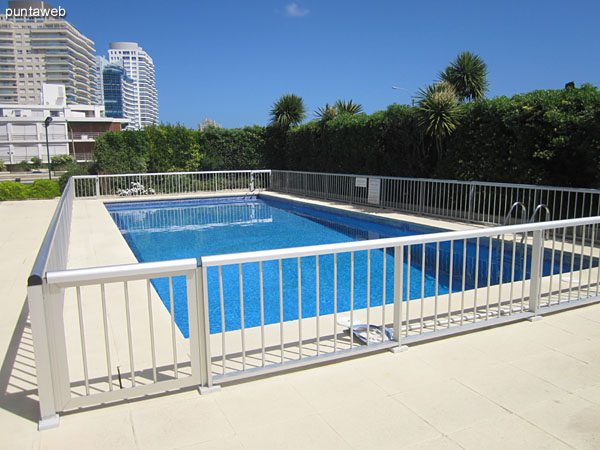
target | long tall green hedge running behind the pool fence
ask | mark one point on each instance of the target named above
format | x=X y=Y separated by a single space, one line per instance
x=543 y=137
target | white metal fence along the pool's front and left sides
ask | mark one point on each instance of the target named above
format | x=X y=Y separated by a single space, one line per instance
x=101 y=334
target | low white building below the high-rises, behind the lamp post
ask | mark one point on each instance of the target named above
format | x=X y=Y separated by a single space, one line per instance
x=73 y=128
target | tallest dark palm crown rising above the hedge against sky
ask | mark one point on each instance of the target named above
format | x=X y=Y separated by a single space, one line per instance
x=468 y=74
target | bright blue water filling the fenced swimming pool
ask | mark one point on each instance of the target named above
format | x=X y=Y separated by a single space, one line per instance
x=167 y=230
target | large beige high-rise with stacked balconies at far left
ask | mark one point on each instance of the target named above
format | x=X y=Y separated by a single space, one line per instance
x=38 y=49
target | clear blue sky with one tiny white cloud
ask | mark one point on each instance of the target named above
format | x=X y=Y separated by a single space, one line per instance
x=230 y=60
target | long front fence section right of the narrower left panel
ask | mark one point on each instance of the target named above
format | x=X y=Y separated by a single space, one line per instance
x=455 y=281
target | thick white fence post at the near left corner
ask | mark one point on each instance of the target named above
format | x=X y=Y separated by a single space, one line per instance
x=43 y=368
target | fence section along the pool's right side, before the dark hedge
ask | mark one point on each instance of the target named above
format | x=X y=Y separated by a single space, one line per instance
x=488 y=203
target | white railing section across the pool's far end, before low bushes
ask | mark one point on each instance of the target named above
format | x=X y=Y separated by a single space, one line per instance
x=136 y=185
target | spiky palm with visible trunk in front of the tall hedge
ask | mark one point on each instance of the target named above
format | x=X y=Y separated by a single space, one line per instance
x=439 y=112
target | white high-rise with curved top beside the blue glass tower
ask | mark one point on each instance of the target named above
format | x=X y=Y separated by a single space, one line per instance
x=139 y=67
